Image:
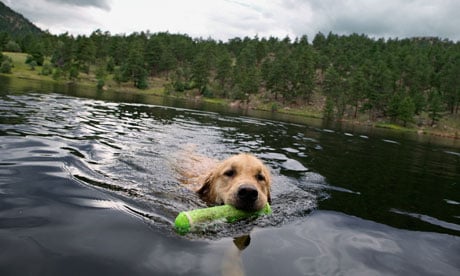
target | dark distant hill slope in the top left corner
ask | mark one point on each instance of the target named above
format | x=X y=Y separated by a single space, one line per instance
x=15 y=24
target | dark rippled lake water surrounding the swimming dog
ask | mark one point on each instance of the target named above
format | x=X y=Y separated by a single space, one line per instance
x=87 y=187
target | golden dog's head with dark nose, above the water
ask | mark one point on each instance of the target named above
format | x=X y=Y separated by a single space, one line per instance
x=241 y=180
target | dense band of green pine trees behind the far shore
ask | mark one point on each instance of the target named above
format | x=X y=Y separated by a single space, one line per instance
x=355 y=74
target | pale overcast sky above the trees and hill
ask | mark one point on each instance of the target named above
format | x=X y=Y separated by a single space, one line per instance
x=224 y=19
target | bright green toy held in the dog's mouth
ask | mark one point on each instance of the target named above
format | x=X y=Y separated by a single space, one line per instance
x=186 y=220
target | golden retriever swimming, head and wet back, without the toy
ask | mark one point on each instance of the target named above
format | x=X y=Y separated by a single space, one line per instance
x=241 y=180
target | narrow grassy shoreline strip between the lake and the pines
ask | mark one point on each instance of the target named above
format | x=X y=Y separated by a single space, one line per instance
x=22 y=72
